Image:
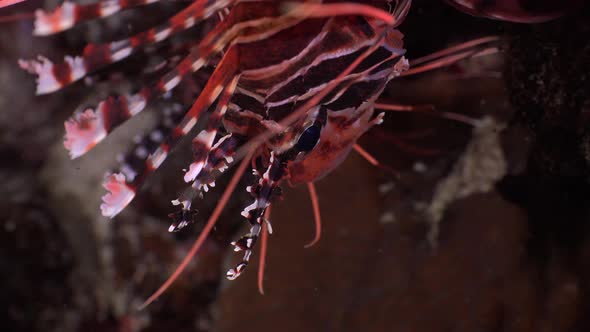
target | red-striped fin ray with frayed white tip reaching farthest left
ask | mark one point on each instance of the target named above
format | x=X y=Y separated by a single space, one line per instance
x=55 y=76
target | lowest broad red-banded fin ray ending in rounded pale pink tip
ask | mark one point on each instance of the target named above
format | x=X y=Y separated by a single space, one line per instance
x=116 y=184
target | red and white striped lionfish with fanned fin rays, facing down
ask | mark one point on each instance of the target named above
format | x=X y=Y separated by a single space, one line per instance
x=294 y=86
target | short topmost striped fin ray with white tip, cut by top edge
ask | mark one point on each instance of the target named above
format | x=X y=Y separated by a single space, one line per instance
x=69 y=14
